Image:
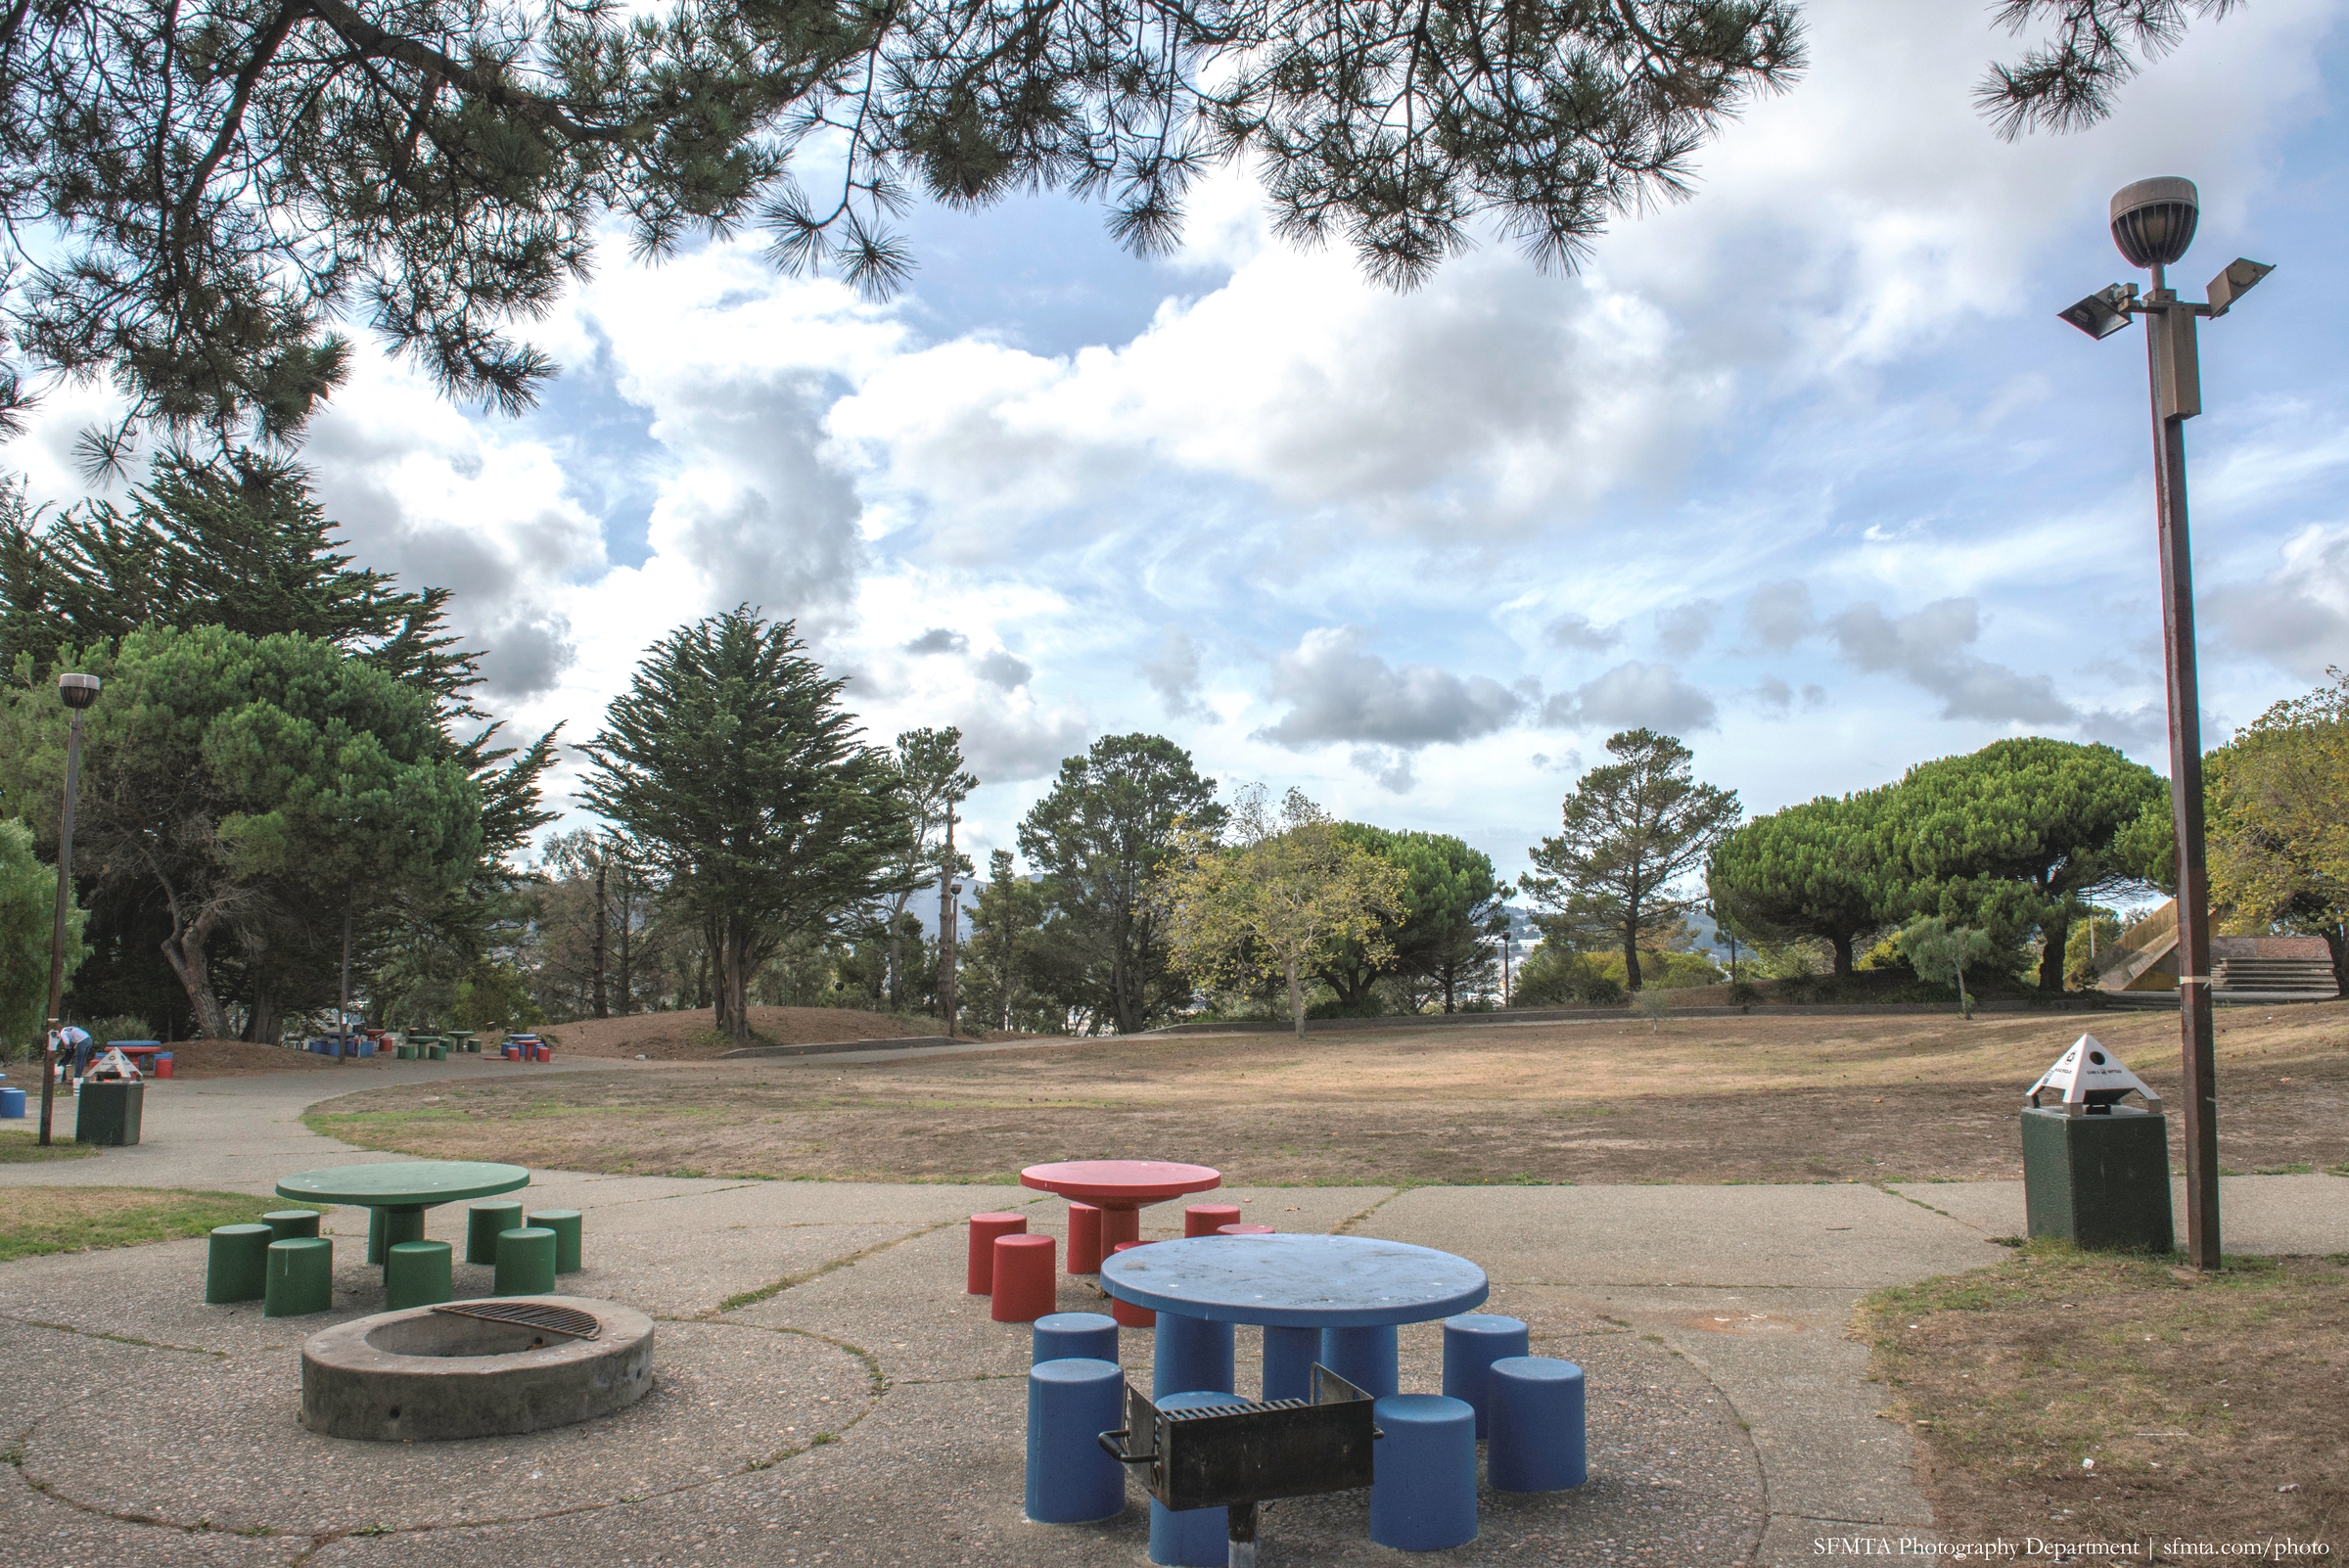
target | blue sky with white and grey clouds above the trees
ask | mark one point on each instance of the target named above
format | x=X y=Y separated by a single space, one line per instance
x=1803 y=471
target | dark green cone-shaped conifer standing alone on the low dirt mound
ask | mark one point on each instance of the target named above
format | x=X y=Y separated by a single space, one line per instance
x=732 y=762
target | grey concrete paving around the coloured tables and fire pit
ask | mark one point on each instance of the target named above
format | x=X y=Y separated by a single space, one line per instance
x=828 y=1395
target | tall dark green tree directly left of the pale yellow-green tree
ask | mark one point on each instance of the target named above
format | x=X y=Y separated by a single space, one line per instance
x=1101 y=837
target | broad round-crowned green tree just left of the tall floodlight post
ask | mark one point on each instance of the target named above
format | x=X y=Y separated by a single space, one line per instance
x=2019 y=837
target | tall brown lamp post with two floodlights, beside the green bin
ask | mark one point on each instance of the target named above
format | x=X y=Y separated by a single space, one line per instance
x=2153 y=222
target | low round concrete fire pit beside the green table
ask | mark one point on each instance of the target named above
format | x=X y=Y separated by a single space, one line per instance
x=433 y=1374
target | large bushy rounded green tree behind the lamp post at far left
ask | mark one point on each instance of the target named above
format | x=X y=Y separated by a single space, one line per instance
x=260 y=785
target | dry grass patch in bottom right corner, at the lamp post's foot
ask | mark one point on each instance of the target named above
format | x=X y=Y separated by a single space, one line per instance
x=2212 y=1405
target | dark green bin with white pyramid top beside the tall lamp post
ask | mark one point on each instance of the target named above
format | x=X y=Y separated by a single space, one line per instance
x=2096 y=1172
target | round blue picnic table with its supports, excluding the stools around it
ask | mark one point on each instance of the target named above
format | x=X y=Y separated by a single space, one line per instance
x=1319 y=1299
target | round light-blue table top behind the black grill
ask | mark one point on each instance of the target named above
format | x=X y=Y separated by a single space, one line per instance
x=1295 y=1280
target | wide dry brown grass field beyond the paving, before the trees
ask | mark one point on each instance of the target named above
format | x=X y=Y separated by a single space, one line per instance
x=1697 y=1100
